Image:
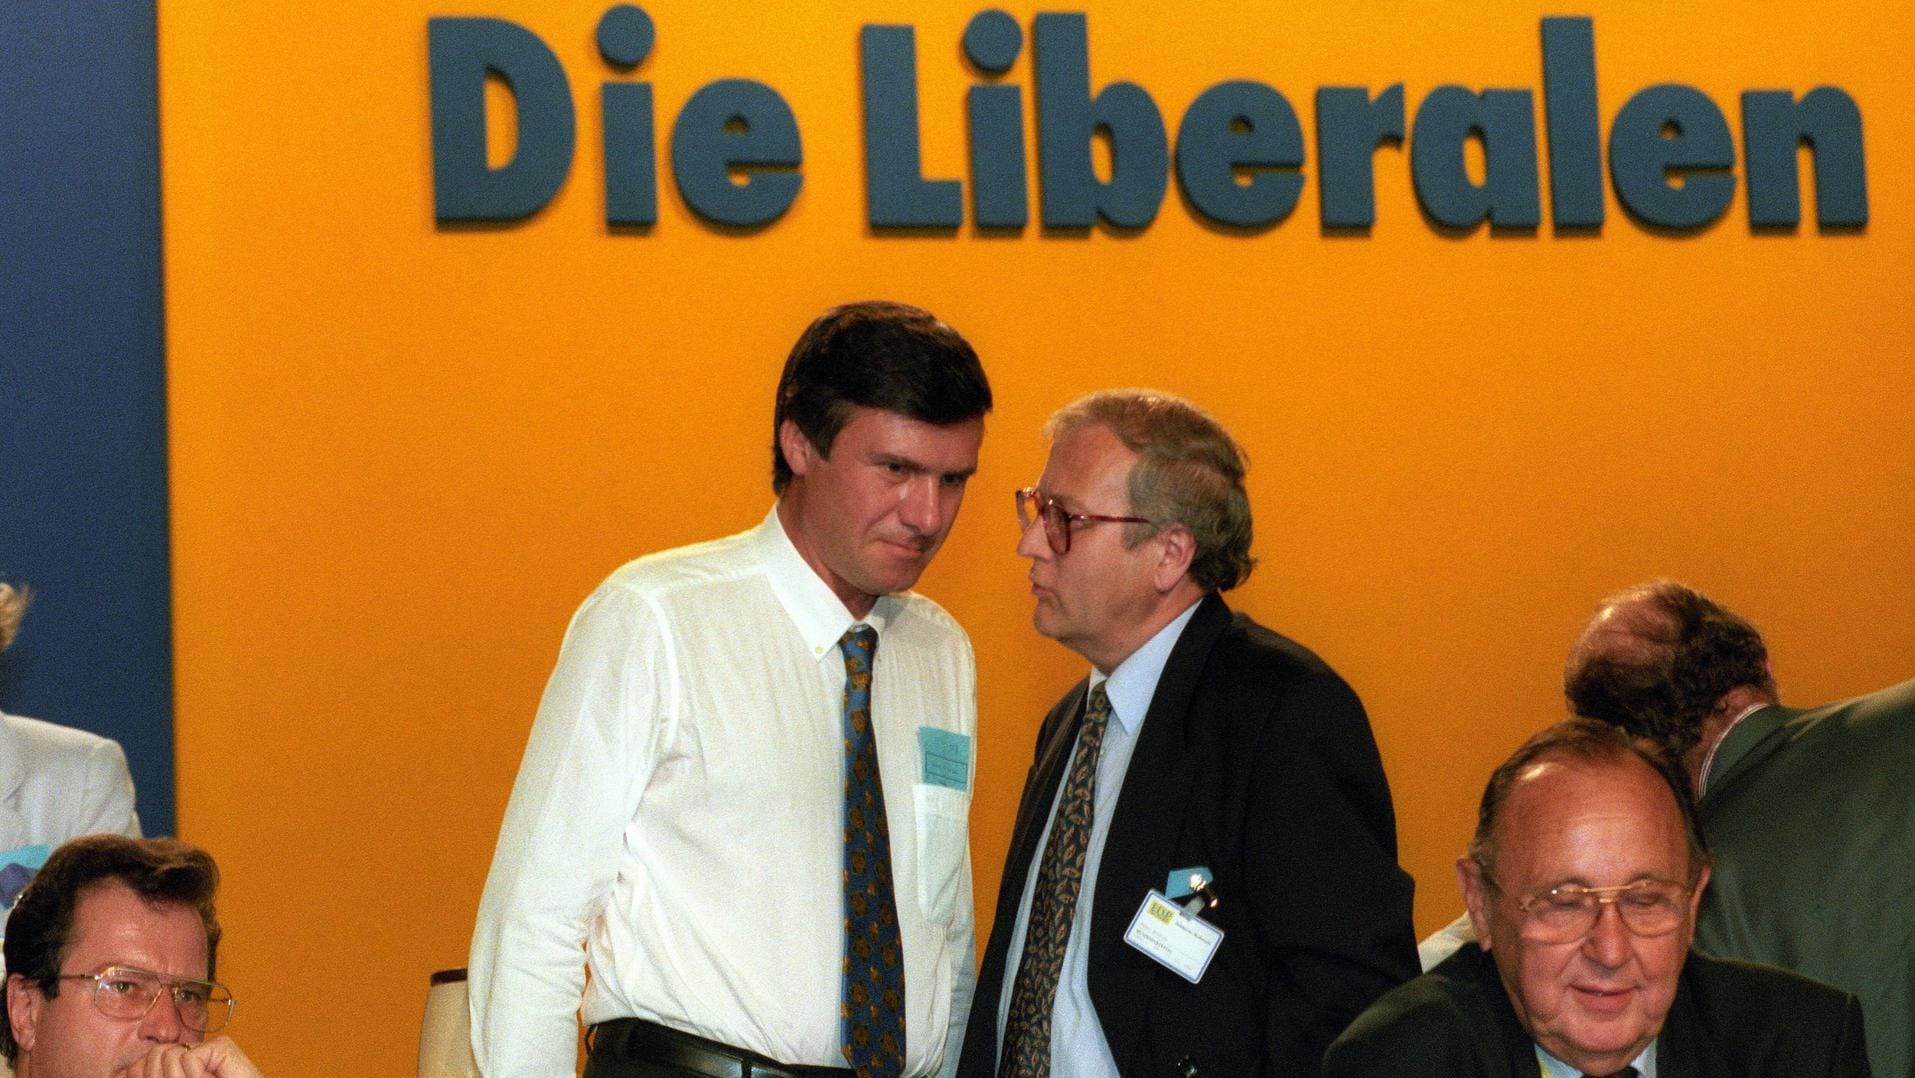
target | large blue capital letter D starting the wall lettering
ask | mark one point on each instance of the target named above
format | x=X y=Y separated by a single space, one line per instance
x=462 y=53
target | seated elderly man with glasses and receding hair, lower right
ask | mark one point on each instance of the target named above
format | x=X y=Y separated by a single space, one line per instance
x=1583 y=886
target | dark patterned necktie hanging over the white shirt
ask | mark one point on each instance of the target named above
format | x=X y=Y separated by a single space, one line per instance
x=872 y=1002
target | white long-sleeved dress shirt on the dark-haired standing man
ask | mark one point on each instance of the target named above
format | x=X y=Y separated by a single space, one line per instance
x=679 y=817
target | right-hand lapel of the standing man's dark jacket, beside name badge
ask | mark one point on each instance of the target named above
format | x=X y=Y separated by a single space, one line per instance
x=1144 y=834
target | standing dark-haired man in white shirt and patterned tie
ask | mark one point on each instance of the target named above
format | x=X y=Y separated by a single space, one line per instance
x=690 y=811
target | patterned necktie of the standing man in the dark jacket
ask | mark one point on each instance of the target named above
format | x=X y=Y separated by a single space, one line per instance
x=1027 y=1029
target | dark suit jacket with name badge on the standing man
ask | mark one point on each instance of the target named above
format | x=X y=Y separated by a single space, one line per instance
x=1257 y=761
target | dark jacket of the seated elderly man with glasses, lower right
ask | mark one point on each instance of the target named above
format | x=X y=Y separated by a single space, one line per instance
x=1730 y=1020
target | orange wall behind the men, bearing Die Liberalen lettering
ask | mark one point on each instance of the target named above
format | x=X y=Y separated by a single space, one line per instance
x=401 y=455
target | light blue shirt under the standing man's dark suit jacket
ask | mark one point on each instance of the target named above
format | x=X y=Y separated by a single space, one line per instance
x=1079 y=1048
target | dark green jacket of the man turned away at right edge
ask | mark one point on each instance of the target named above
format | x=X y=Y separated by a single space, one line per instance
x=1811 y=817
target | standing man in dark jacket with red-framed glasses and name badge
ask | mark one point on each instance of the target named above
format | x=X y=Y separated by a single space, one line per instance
x=1209 y=776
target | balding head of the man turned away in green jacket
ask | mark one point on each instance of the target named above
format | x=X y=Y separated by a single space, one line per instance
x=1659 y=660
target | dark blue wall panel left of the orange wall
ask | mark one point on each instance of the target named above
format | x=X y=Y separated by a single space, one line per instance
x=83 y=384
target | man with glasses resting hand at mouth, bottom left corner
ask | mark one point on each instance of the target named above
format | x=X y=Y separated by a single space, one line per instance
x=110 y=966
